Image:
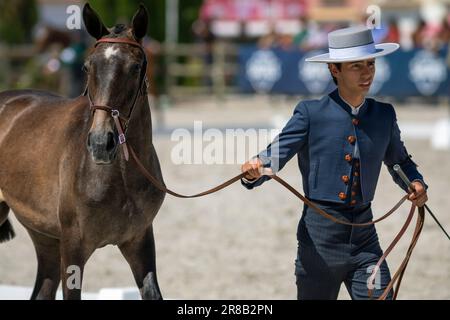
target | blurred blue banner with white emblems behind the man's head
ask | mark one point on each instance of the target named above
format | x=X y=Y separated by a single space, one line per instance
x=401 y=74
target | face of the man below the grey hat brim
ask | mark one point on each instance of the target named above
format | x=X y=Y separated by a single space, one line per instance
x=355 y=76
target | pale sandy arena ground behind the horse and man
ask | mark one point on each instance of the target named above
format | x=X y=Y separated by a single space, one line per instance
x=240 y=244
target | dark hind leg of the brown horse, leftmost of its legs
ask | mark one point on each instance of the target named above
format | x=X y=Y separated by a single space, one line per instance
x=48 y=273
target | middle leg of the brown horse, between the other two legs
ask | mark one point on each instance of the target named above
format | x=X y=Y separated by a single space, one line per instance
x=72 y=264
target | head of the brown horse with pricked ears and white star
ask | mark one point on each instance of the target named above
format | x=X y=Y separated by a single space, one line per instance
x=116 y=71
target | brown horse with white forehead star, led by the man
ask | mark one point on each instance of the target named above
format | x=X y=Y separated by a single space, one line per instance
x=65 y=175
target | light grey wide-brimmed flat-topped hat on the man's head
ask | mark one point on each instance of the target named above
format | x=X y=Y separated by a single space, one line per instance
x=353 y=44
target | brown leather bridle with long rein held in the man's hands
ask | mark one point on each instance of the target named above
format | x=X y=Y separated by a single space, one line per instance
x=128 y=150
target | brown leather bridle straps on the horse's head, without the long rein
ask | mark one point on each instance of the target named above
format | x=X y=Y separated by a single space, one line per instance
x=120 y=121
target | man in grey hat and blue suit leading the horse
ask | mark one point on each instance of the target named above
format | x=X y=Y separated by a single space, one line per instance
x=341 y=142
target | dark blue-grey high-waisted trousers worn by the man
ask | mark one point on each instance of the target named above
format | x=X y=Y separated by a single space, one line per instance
x=330 y=254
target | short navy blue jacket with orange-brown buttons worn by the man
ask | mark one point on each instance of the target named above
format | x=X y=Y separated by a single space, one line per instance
x=322 y=133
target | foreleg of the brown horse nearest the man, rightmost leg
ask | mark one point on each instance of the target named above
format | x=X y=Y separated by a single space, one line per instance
x=140 y=255
